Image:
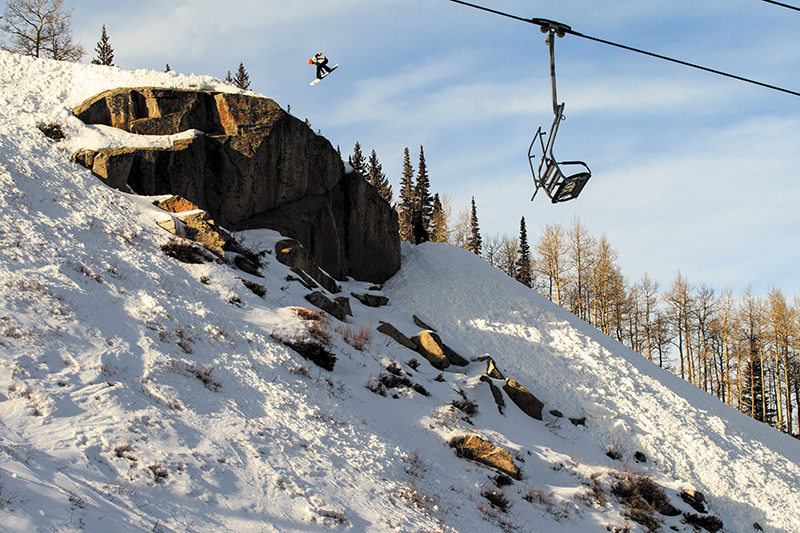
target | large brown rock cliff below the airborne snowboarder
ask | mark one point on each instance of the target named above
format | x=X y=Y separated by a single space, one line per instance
x=253 y=166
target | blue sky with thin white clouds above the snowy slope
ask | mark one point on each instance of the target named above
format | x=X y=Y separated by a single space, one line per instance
x=691 y=171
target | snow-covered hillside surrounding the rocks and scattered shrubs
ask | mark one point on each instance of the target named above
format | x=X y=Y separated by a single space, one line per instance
x=139 y=393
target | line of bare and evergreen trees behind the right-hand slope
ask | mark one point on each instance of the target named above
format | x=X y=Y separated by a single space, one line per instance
x=744 y=349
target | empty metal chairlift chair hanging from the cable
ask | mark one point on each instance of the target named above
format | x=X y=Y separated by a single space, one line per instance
x=561 y=181
